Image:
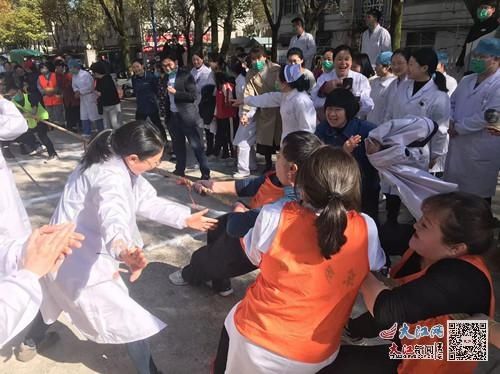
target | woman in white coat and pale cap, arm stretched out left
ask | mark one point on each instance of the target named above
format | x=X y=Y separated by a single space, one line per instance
x=296 y=108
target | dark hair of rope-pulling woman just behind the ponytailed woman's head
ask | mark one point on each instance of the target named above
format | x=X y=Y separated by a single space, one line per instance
x=298 y=146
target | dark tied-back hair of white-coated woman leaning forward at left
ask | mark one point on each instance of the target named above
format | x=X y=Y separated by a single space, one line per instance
x=137 y=137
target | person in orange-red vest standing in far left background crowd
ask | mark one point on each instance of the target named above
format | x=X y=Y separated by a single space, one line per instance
x=51 y=93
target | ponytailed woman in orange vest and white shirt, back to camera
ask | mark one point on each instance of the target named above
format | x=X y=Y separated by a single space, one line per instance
x=313 y=256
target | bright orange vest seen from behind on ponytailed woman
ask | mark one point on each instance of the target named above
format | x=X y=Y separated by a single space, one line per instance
x=300 y=301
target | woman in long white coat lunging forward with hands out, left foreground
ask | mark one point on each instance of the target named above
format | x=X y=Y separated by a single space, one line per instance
x=103 y=196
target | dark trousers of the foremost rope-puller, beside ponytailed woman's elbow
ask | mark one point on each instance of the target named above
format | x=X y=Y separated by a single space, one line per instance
x=222 y=258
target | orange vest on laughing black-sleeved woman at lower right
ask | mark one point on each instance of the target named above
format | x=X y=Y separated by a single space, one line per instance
x=438 y=366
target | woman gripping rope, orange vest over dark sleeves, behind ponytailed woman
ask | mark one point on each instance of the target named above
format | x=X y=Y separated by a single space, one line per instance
x=223 y=257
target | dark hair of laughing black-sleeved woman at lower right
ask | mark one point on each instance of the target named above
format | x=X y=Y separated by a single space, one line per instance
x=464 y=218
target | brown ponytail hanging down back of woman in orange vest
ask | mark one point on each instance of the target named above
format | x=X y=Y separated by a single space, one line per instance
x=331 y=224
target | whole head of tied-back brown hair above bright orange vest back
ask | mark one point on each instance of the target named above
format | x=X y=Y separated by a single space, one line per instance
x=330 y=181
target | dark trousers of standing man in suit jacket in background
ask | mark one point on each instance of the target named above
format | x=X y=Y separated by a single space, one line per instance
x=180 y=132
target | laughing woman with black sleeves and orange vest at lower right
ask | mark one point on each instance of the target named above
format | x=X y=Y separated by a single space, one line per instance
x=441 y=274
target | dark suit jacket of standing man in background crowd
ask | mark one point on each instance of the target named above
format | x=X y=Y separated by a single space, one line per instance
x=185 y=97
